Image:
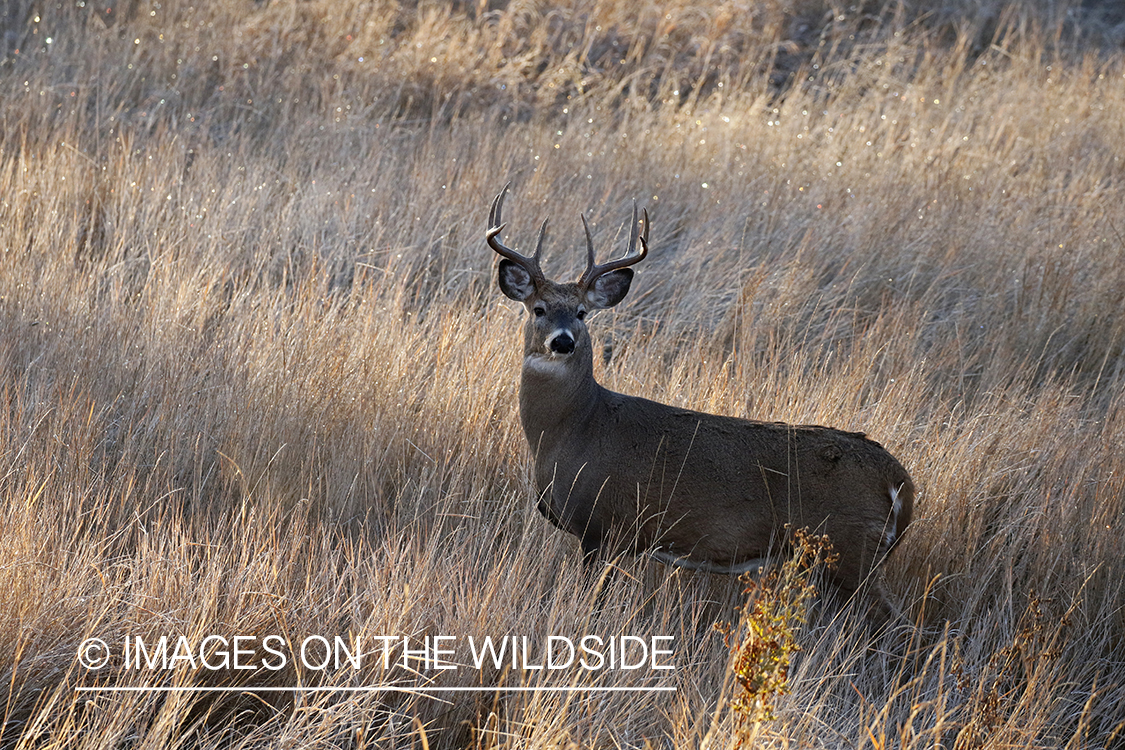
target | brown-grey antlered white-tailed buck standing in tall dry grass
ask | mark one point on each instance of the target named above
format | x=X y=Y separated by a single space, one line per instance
x=717 y=494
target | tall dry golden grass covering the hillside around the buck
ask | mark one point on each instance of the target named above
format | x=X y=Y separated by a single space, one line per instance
x=257 y=376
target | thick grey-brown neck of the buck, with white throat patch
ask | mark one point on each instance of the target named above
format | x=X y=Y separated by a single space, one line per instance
x=557 y=396
